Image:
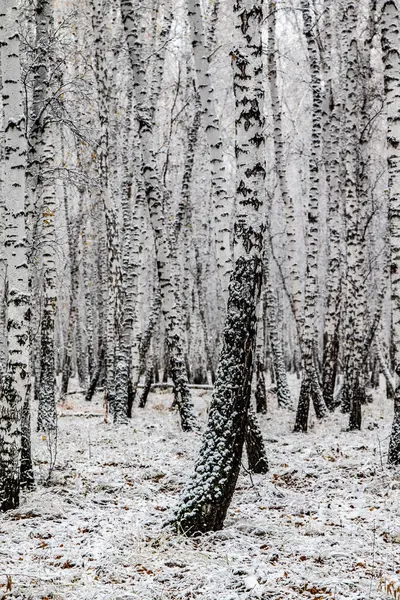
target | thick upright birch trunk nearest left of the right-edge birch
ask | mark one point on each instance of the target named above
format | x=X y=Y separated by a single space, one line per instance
x=356 y=190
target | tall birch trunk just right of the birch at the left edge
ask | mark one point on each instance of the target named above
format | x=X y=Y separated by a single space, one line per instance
x=41 y=177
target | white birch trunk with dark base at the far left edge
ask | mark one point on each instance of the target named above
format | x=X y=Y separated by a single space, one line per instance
x=15 y=385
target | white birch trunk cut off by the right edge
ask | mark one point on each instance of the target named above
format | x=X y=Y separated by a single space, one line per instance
x=391 y=60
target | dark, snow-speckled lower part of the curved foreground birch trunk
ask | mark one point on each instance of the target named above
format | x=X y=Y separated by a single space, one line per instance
x=207 y=498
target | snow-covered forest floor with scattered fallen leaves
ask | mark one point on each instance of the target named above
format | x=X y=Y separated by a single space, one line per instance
x=323 y=524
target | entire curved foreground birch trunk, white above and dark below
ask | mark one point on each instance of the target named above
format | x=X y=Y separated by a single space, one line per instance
x=206 y=499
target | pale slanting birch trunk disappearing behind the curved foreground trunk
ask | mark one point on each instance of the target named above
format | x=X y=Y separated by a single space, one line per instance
x=214 y=139
